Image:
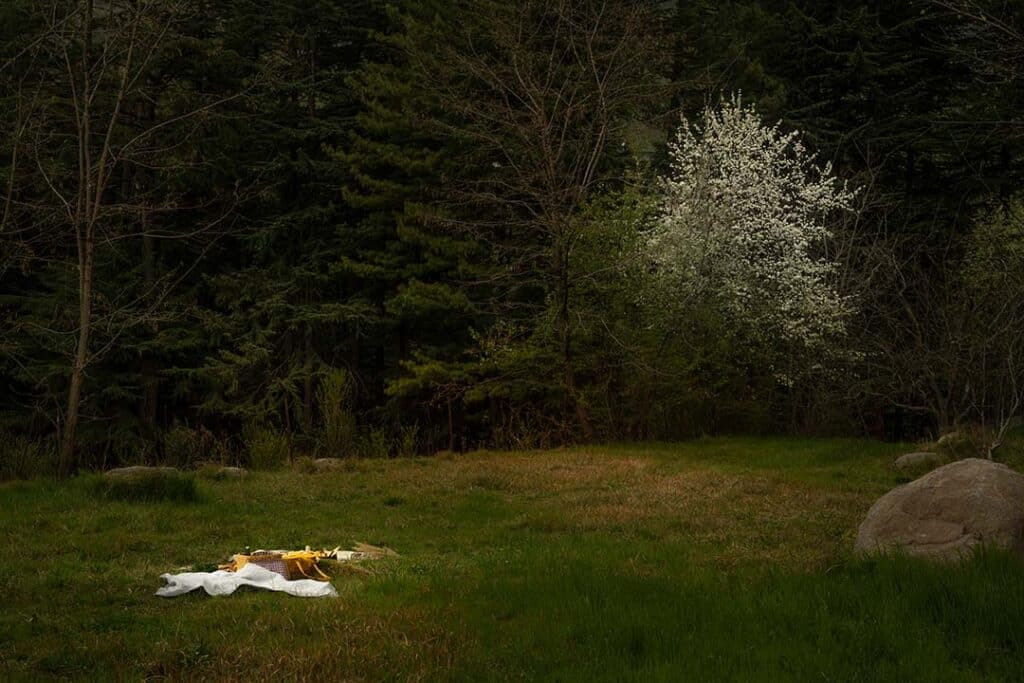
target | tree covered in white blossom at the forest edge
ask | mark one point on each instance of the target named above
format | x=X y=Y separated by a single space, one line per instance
x=744 y=226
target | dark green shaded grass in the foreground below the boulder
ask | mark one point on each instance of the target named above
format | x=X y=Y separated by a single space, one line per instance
x=650 y=620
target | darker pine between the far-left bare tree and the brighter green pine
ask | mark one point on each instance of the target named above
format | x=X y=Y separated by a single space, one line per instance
x=284 y=313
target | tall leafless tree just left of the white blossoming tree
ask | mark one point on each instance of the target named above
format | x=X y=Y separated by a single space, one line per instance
x=540 y=95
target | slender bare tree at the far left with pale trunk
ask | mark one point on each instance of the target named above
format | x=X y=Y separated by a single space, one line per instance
x=88 y=129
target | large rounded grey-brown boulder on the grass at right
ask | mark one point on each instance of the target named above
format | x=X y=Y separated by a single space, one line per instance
x=950 y=511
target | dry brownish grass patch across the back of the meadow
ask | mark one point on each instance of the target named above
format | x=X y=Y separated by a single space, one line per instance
x=736 y=517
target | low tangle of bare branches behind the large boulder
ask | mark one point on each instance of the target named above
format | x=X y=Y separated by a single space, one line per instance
x=949 y=332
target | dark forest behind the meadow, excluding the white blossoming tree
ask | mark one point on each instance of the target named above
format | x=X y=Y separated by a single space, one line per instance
x=358 y=228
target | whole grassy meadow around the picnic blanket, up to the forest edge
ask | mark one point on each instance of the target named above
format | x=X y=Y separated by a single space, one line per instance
x=718 y=560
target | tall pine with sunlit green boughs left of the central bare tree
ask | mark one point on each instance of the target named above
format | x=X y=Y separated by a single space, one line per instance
x=409 y=268
